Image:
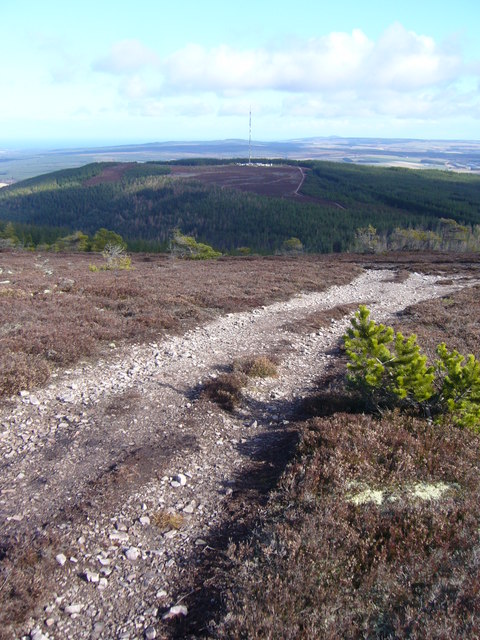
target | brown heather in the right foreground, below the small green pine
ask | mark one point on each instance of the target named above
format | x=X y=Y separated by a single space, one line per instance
x=324 y=567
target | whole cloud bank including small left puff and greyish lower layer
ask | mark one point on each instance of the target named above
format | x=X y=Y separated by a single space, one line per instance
x=339 y=75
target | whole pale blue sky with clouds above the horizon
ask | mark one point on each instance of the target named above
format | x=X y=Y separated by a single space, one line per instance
x=112 y=72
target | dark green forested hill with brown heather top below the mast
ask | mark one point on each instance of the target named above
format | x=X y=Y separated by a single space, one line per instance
x=144 y=201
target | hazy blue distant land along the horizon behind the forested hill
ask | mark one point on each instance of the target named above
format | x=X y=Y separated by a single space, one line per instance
x=460 y=155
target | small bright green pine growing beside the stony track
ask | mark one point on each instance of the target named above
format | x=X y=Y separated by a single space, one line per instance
x=388 y=370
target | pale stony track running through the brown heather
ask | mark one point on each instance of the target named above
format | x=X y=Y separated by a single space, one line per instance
x=107 y=458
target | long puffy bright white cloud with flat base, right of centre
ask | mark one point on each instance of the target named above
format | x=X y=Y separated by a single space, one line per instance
x=400 y=59
